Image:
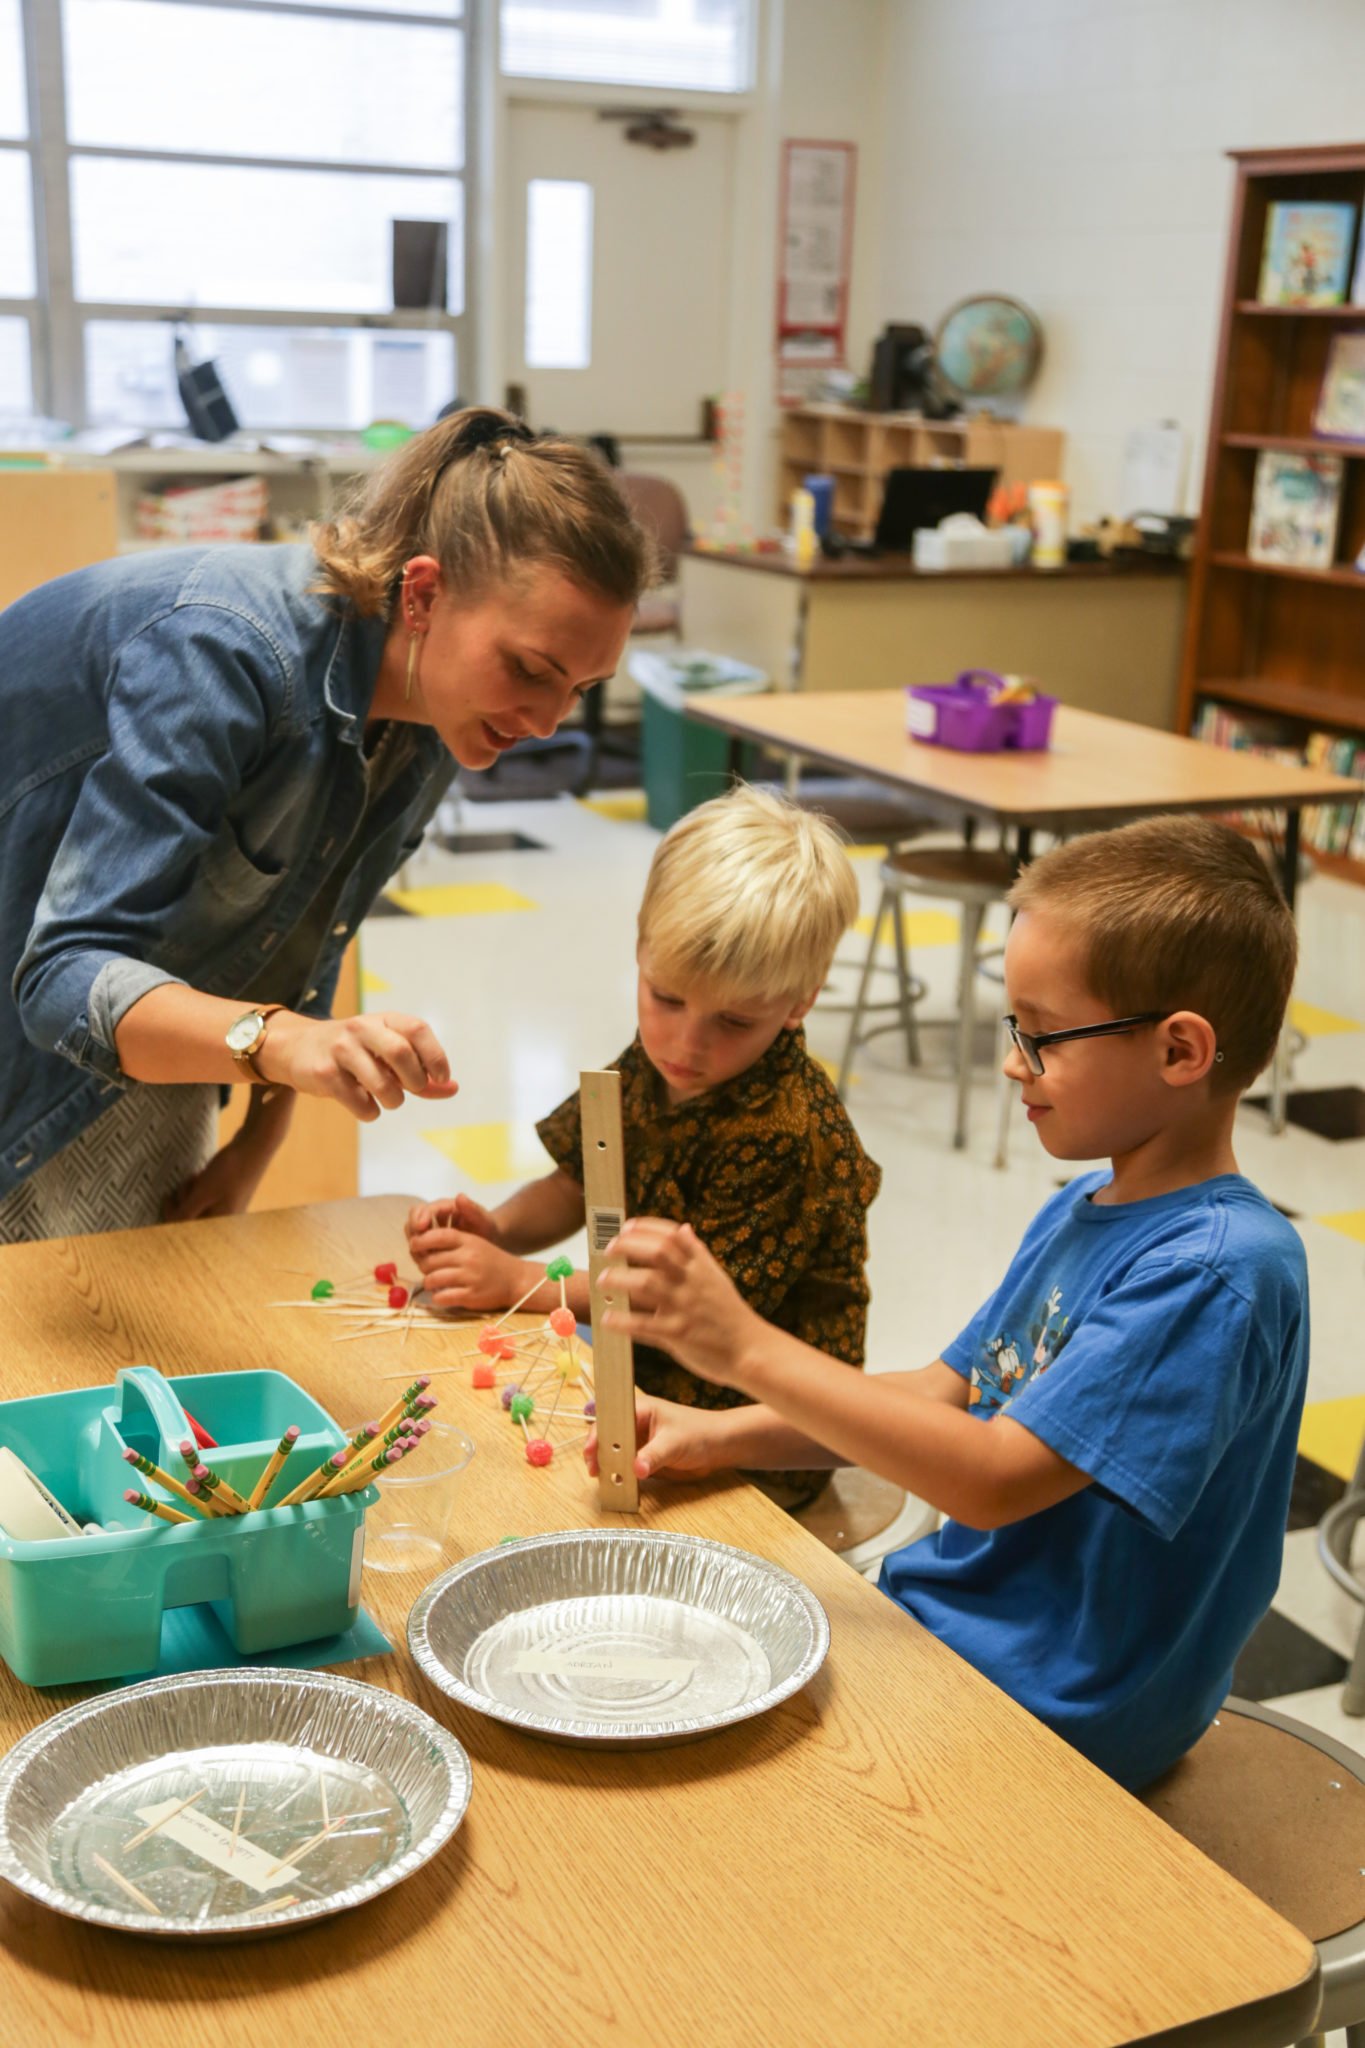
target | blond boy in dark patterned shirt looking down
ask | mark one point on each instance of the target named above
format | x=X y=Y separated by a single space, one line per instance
x=732 y=1127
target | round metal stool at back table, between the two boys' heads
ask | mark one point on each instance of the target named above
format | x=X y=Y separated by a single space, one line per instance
x=965 y=876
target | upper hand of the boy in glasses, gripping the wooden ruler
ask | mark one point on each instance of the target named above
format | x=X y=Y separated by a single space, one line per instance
x=680 y=1299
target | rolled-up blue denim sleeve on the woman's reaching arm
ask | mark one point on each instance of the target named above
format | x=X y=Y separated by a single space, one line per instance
x=193 y=701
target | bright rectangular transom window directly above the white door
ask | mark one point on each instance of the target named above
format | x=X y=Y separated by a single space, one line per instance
x=676 y=44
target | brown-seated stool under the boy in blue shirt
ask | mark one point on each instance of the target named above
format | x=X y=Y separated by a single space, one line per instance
x=1282 y=1809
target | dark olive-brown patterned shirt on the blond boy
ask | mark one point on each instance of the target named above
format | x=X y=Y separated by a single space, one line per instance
x=773 y=1179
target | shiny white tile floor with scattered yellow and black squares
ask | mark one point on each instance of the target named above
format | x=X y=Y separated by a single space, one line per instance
x=525 y=998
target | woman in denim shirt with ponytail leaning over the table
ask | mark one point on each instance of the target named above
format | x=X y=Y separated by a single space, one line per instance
x=216 y=761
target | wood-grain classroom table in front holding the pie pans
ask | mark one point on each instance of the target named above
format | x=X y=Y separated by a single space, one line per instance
x=897 y=1854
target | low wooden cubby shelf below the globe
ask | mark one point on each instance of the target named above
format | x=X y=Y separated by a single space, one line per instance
x=858 y=447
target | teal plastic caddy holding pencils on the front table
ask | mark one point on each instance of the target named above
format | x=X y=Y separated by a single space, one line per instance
x=91 y=1607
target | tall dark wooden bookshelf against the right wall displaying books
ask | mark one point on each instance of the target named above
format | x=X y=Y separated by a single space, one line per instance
x=1284 y=642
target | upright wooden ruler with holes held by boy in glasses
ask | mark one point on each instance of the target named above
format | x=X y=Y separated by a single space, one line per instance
x=605 y=1185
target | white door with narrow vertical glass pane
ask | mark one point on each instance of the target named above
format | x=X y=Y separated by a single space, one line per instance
x=621 y=325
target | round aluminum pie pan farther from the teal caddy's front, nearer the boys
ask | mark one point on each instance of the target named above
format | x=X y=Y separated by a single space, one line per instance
x=619 y=1639
